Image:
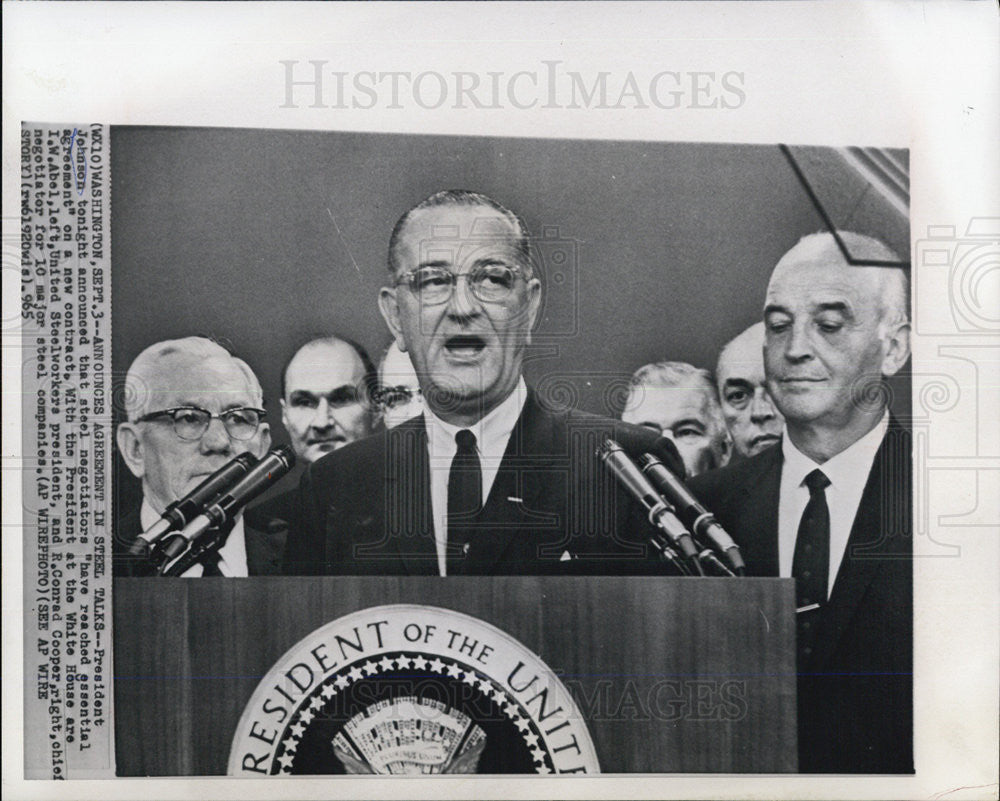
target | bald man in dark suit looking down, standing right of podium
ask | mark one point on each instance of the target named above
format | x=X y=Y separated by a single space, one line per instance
x=830 y=505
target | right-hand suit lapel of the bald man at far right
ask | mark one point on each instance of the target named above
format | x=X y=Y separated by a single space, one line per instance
x=881 y=516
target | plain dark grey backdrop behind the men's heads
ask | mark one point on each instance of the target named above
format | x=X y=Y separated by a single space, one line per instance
x=648 y=251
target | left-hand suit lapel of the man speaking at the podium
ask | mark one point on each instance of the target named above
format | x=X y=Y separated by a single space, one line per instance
x=408 y=517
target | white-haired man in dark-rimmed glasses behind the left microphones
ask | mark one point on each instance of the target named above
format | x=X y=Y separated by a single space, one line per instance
x=191 y=407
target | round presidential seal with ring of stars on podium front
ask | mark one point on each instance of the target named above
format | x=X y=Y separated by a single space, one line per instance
x=408 y=689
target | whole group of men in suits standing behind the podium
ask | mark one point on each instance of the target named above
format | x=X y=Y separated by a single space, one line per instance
x=444 y=461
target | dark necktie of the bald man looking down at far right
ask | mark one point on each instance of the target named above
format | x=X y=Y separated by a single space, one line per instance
x=811 y=563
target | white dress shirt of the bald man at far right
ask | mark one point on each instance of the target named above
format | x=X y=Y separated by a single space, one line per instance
x=848 y=473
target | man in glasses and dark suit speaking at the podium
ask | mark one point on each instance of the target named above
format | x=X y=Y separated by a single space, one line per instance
x=486 y=481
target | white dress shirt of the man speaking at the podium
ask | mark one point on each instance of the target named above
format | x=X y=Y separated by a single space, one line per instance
x=492 y=435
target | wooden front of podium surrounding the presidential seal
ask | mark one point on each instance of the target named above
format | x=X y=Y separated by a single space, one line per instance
x=687 y=675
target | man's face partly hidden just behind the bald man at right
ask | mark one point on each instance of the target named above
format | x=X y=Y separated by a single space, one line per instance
x=753 y=422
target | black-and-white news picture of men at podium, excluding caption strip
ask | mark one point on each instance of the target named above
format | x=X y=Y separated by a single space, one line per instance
x=552 y=377
